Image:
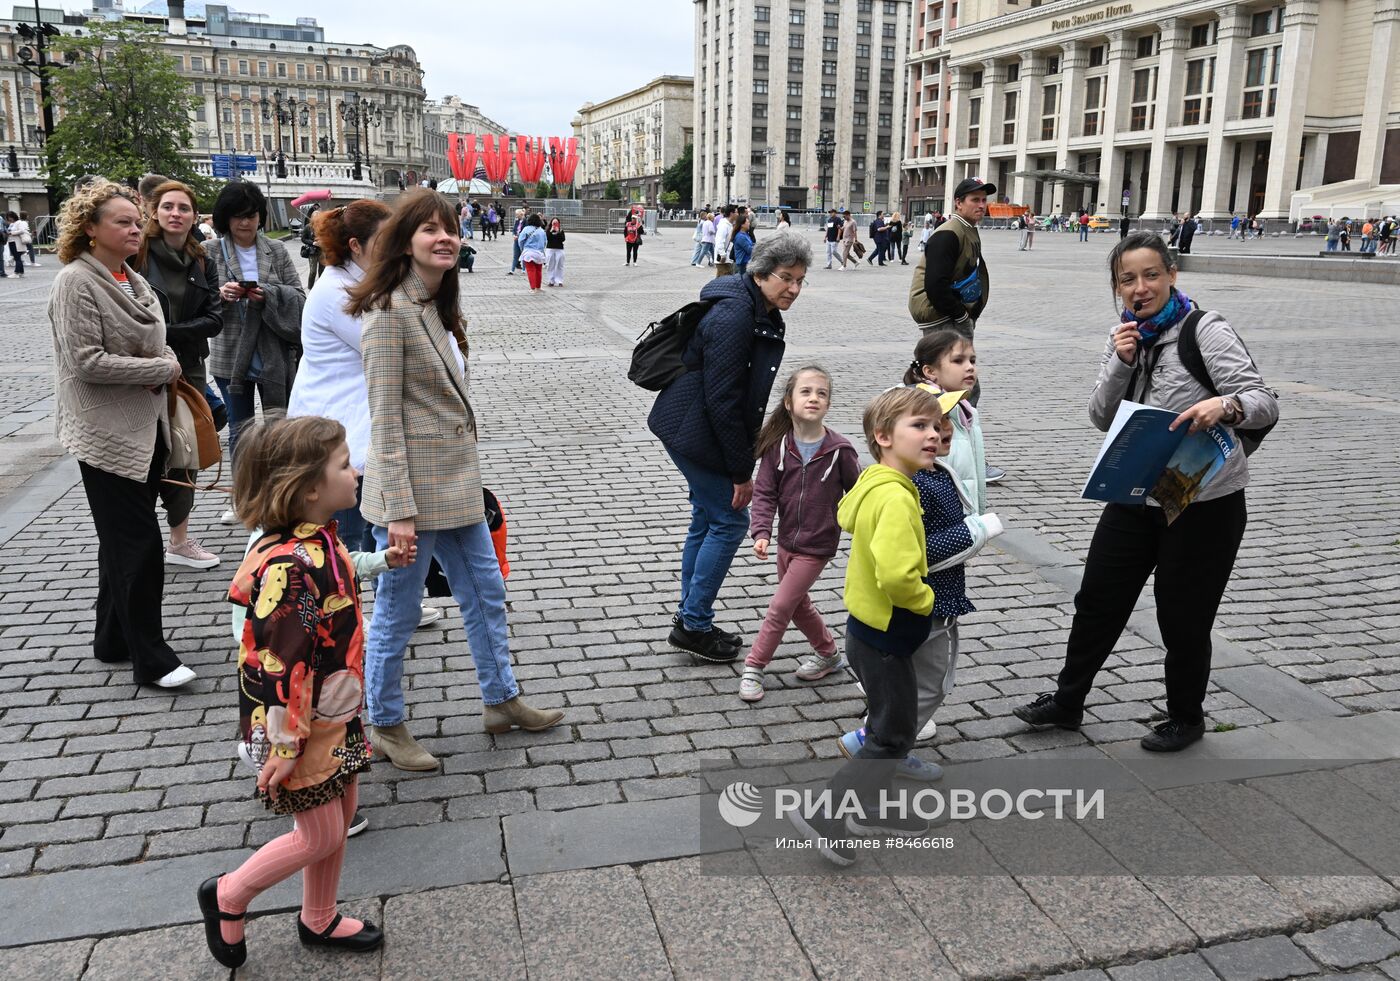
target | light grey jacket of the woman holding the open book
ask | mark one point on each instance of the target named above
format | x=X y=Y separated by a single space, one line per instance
x=1171 y=387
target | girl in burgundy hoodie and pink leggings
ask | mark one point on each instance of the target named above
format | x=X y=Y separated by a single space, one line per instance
x=804 y=470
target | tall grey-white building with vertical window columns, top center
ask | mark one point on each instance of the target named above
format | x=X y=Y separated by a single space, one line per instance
x=773 y=76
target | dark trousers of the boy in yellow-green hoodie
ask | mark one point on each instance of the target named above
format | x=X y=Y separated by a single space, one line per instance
x=892 y=699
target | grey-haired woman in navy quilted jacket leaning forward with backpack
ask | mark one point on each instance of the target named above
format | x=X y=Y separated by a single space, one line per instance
x=709 y=422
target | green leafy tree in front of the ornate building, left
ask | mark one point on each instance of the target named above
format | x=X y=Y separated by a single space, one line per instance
x=125 y=108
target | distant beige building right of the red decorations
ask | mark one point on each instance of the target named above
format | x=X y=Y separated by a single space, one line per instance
x=635 y=138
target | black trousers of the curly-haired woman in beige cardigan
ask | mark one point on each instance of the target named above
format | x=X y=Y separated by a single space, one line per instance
x=131 y=570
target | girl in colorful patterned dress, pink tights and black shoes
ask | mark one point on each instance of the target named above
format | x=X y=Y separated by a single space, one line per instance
x=302 y=678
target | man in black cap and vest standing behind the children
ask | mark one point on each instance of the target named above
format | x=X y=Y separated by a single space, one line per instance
x=951 y=283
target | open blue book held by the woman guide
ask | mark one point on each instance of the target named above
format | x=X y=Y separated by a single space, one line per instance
x=1142 y=458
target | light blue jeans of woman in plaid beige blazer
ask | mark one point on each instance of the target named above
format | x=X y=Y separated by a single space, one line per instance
x=470 y=560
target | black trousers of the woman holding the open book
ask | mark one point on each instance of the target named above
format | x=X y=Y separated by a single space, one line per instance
x=1193 y=560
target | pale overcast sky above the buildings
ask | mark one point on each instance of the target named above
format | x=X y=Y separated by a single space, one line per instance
x=527 y=65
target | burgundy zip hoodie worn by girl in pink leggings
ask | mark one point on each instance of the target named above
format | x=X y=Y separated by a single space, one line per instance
x=804 y=496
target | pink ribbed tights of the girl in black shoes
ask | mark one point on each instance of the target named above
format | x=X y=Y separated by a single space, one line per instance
x=316 y=847
